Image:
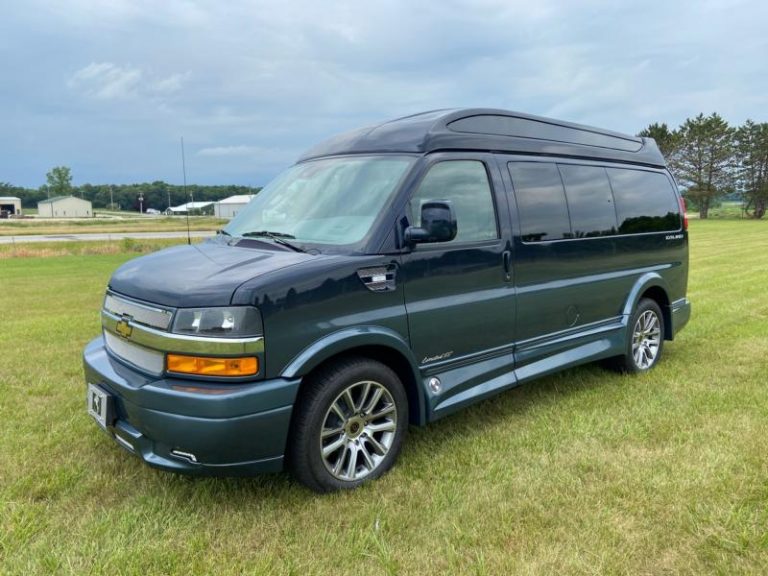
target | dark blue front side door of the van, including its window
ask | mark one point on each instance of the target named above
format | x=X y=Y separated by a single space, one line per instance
x=459 y=295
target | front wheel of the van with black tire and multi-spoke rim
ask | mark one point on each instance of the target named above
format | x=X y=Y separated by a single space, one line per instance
x=349 y=425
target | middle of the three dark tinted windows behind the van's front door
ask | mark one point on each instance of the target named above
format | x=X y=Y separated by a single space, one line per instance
x=590 y=201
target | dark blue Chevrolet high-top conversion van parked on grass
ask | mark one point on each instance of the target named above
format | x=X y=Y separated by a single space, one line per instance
x=392 y=276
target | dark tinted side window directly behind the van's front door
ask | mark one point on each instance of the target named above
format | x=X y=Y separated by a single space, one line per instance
x=540 y=201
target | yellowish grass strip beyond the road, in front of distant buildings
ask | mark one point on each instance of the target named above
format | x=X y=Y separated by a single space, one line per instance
x=97 y=225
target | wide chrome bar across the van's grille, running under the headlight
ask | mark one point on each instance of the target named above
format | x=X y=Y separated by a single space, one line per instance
x=180 y=343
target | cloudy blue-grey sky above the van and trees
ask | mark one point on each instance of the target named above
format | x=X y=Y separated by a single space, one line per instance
x=108 y=87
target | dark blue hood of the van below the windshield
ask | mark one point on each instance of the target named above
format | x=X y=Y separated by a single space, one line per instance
x=204 y=274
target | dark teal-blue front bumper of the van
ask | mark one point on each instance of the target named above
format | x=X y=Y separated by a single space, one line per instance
x=193 y=426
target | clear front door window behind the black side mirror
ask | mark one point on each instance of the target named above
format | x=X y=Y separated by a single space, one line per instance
x=465 y=184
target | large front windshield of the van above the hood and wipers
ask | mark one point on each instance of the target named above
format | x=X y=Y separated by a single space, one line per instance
x=331 y=201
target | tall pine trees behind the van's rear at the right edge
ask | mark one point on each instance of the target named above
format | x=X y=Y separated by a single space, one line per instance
x=711 y=160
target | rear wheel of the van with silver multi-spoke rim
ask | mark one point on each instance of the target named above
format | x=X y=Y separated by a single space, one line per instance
x=645 y=339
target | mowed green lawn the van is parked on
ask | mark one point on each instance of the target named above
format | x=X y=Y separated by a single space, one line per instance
x=584 y=472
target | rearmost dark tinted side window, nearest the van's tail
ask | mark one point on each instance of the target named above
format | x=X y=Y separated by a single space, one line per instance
x=645 y=201
